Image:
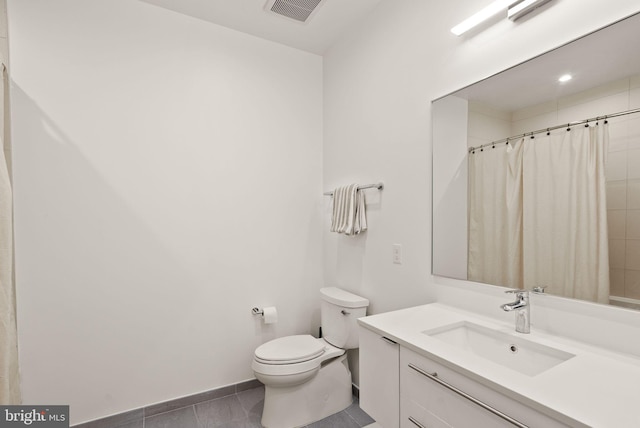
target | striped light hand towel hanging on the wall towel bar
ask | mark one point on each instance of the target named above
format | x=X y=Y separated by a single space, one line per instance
x=349 y=212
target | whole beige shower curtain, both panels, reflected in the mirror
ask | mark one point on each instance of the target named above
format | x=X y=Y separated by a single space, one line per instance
x=537 y=214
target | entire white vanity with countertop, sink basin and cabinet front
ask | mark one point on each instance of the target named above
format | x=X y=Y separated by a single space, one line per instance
x=429 y=379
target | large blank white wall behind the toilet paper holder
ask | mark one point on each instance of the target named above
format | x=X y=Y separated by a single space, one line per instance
x=167 y=180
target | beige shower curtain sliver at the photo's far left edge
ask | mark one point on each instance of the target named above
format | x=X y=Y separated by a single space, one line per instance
x=9 y=374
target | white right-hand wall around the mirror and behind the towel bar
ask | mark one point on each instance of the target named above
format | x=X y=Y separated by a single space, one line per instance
x=378 y=84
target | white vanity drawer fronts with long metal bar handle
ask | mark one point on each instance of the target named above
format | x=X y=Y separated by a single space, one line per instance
x=431 y=395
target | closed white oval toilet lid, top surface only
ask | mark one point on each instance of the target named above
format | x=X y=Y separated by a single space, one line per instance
x=290 y=349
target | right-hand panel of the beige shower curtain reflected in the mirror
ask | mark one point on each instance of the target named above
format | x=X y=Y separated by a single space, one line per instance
x=565 y=213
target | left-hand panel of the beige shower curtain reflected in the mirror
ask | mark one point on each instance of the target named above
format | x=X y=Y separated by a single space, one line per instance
x=495 y=215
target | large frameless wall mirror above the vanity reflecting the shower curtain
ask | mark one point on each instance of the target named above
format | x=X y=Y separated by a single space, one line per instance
x=536 y=179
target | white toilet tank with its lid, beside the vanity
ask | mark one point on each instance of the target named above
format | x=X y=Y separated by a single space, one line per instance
x=339 y=311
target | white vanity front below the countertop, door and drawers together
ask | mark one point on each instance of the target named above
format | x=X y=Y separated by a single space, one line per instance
x=400 y=388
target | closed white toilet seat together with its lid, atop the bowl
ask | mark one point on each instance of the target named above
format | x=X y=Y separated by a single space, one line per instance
x=299 y=361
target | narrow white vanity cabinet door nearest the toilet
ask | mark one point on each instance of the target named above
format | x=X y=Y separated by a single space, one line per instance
x=380 y=378
